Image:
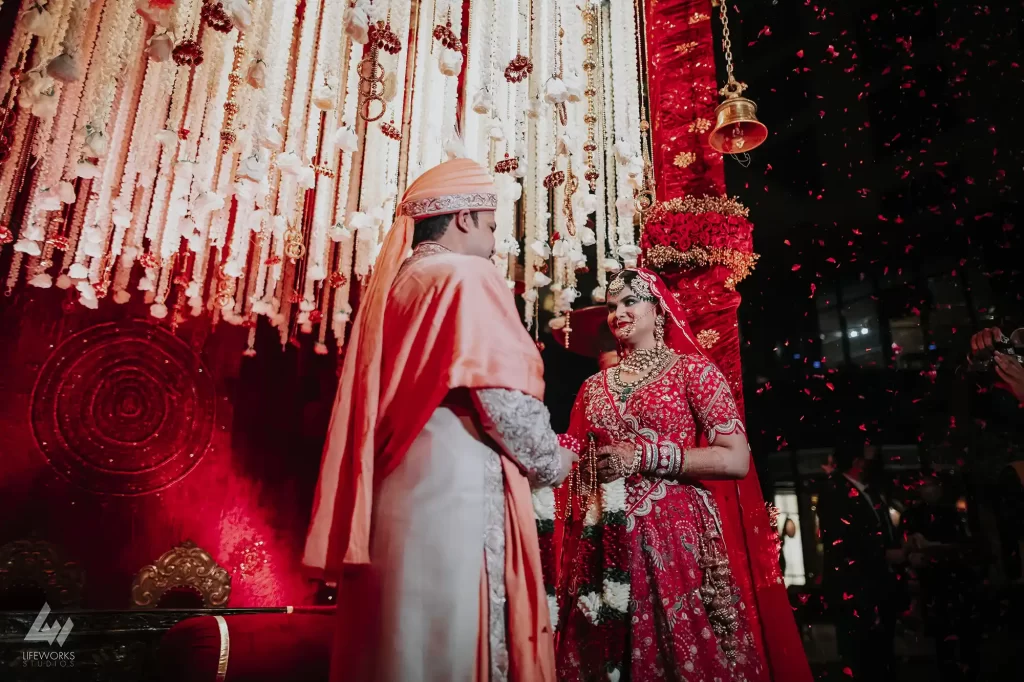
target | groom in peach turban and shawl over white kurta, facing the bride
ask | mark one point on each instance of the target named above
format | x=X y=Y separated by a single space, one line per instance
x=423 y=509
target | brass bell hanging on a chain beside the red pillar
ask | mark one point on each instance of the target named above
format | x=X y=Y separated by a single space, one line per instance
x=737 y=127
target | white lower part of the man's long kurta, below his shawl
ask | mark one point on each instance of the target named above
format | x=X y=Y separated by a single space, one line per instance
x=431 y=523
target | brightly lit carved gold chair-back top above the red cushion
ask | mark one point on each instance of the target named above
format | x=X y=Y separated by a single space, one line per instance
x=186 y=577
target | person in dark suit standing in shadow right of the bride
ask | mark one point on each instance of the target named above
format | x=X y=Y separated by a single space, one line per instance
x=863 y=585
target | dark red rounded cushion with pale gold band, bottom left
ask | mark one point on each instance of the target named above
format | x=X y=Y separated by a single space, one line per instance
x=263 y=647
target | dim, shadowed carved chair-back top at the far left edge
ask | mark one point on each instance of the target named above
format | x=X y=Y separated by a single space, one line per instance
x=35 y=572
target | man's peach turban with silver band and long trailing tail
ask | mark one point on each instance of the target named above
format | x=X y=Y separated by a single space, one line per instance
x=345 y=526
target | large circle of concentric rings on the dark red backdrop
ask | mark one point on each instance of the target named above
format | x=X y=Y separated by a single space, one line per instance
x=123 y=408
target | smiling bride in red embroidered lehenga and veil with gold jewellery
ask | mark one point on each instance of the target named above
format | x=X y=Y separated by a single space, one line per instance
x=647 y=588
